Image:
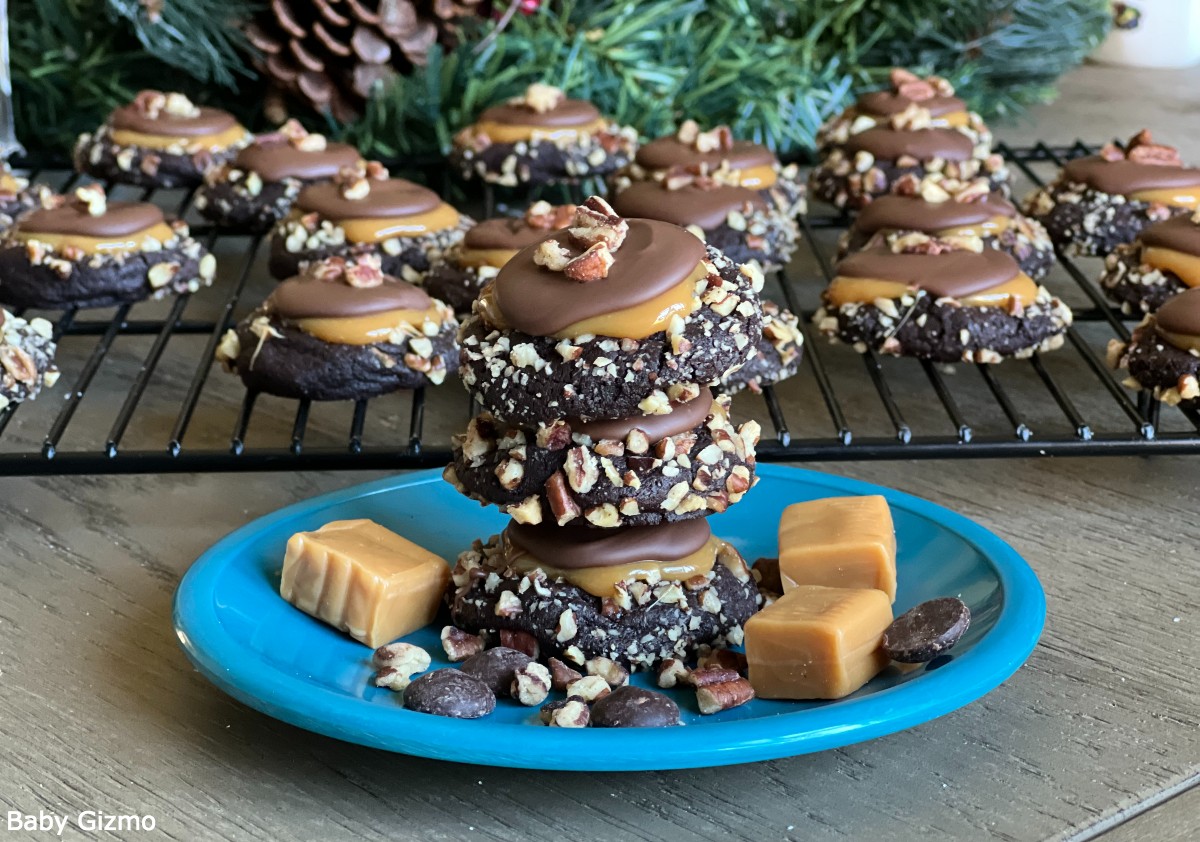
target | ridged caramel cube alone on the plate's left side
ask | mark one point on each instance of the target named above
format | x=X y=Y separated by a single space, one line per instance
x=364 y=580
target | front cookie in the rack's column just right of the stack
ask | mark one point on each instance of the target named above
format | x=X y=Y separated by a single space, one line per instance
x=939 y=302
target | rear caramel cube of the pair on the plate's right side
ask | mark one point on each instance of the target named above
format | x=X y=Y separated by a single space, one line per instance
x=839 y=543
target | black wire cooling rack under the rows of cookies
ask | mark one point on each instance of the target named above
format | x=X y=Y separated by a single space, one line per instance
x=140 y=392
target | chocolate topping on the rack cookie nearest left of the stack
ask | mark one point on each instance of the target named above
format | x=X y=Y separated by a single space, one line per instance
x=305 y=298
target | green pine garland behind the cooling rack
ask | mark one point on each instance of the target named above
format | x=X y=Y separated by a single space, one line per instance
x=773 y=70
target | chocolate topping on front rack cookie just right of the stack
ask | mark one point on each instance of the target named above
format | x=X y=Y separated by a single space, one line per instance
x=955 y=275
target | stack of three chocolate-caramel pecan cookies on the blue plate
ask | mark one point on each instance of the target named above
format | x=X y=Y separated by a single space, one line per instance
x=590 y=357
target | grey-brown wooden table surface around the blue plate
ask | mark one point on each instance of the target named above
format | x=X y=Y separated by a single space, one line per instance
x=1099 y=736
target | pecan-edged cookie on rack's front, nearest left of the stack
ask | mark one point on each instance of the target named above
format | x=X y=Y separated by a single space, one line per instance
x=343 y=330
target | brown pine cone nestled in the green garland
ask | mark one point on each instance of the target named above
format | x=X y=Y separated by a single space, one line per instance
x=331 y=53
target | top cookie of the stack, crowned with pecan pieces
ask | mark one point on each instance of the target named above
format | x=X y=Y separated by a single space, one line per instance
x=609 y=320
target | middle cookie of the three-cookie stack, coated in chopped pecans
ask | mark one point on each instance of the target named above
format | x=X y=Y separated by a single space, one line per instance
x=634 y=472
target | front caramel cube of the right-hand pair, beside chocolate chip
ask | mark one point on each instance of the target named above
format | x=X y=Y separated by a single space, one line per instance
x=818 y=643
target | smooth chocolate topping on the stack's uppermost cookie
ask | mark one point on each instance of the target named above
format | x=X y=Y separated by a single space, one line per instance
x=655 y=258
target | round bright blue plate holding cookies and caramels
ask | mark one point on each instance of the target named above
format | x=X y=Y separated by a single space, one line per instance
x=248 y=641
